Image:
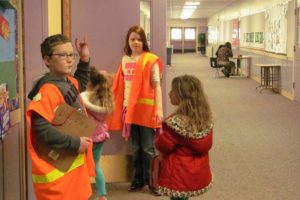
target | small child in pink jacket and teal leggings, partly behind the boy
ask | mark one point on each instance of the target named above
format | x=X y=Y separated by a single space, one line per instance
x=98 y=100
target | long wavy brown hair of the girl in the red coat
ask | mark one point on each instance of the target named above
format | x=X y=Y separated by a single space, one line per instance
x=192 y=101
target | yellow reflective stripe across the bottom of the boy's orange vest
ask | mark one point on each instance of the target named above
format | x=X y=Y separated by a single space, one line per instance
x=56 y=174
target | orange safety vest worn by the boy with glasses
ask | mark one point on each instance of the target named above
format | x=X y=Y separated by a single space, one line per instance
x=50 y=183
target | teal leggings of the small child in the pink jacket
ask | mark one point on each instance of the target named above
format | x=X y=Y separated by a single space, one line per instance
x=100 y=180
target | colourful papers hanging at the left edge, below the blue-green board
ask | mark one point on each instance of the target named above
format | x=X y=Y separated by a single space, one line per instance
x=4 y=110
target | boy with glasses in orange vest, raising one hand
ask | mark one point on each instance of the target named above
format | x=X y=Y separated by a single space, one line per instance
x=54 y=88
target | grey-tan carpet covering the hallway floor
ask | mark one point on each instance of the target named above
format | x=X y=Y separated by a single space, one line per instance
x=256 y=138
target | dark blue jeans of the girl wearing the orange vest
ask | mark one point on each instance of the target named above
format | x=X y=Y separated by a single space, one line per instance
x=142 y=146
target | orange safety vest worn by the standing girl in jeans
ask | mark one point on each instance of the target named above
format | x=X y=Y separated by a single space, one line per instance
x=141 y=102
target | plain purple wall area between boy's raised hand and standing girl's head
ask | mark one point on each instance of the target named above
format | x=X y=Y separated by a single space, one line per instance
x=105 y=24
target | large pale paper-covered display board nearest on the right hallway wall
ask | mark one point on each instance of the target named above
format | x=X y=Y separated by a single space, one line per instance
x=276 y=29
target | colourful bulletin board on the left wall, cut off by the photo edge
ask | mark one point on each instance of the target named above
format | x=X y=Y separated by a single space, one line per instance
x=9 y=81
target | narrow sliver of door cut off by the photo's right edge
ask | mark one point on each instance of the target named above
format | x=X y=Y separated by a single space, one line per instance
x=297 y=55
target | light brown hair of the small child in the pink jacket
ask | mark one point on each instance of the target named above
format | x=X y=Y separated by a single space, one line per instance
x=102 y=95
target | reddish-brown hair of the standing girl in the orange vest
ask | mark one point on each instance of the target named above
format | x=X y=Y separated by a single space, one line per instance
x=139 y=30
